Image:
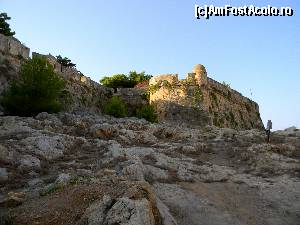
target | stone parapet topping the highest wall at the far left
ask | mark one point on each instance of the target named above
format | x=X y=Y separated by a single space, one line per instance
x=13 y=47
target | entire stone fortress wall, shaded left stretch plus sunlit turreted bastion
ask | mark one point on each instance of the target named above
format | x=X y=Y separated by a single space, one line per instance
x=196 y=100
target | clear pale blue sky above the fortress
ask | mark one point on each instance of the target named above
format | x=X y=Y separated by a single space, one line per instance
x=254 y=54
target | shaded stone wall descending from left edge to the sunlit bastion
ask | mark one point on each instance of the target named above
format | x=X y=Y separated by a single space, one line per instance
x=81 y=92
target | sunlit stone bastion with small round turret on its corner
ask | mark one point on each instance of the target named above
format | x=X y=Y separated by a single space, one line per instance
x=204 y=100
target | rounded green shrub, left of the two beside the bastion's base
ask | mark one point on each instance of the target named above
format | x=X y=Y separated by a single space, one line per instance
x=115 y=107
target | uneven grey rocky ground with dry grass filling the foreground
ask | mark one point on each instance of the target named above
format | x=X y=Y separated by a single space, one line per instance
x=92 y=170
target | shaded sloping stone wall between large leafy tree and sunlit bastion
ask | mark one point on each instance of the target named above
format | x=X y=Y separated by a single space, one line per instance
x=85 y=94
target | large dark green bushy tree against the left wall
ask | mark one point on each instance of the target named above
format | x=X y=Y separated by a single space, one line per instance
x=37 y=89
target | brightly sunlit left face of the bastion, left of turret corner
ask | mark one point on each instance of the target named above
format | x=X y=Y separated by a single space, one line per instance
x=178 y=101
